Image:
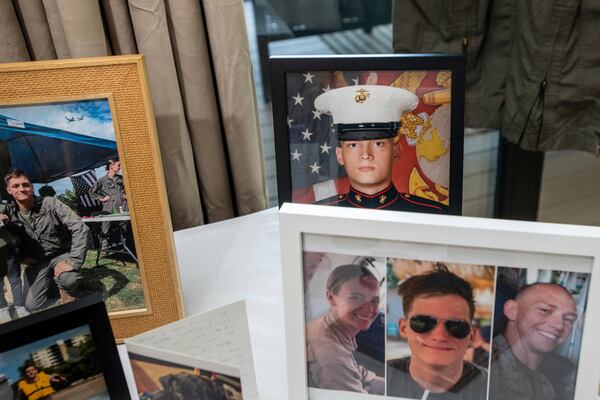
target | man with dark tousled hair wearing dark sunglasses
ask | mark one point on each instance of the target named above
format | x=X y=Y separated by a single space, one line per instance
x=438 y=308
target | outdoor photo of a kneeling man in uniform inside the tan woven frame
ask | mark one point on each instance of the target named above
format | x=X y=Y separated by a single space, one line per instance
x=64 y=233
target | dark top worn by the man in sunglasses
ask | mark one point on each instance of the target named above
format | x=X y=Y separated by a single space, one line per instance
x=472 y=385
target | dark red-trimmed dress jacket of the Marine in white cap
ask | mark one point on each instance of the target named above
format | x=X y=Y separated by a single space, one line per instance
x=388 y=199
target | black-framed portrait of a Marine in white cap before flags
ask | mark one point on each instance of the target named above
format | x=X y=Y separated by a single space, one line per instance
x=376 y=131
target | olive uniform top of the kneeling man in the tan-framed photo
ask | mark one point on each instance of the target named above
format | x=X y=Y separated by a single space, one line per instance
x=54 y=230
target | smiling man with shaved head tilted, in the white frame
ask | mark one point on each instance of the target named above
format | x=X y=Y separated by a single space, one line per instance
x=524 y=365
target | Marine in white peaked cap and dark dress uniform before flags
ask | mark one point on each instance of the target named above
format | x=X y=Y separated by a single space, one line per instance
x=367 y=120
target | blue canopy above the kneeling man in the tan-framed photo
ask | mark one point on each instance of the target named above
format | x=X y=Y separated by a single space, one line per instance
x=48 y=154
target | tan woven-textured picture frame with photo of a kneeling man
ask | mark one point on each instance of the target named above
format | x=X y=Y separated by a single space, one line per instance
x=83 y=205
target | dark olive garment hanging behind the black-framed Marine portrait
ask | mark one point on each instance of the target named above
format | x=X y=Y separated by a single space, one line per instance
x=532 y=65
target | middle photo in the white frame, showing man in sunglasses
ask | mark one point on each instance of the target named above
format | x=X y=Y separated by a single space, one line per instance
x=440 y=329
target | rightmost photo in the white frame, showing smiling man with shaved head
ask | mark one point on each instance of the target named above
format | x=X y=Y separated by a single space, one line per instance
x=535 y=353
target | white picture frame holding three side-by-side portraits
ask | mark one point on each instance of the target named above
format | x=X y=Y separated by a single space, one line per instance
x=409 y=306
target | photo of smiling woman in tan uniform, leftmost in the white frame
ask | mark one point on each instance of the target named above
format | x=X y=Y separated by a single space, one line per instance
x=344 y=334
